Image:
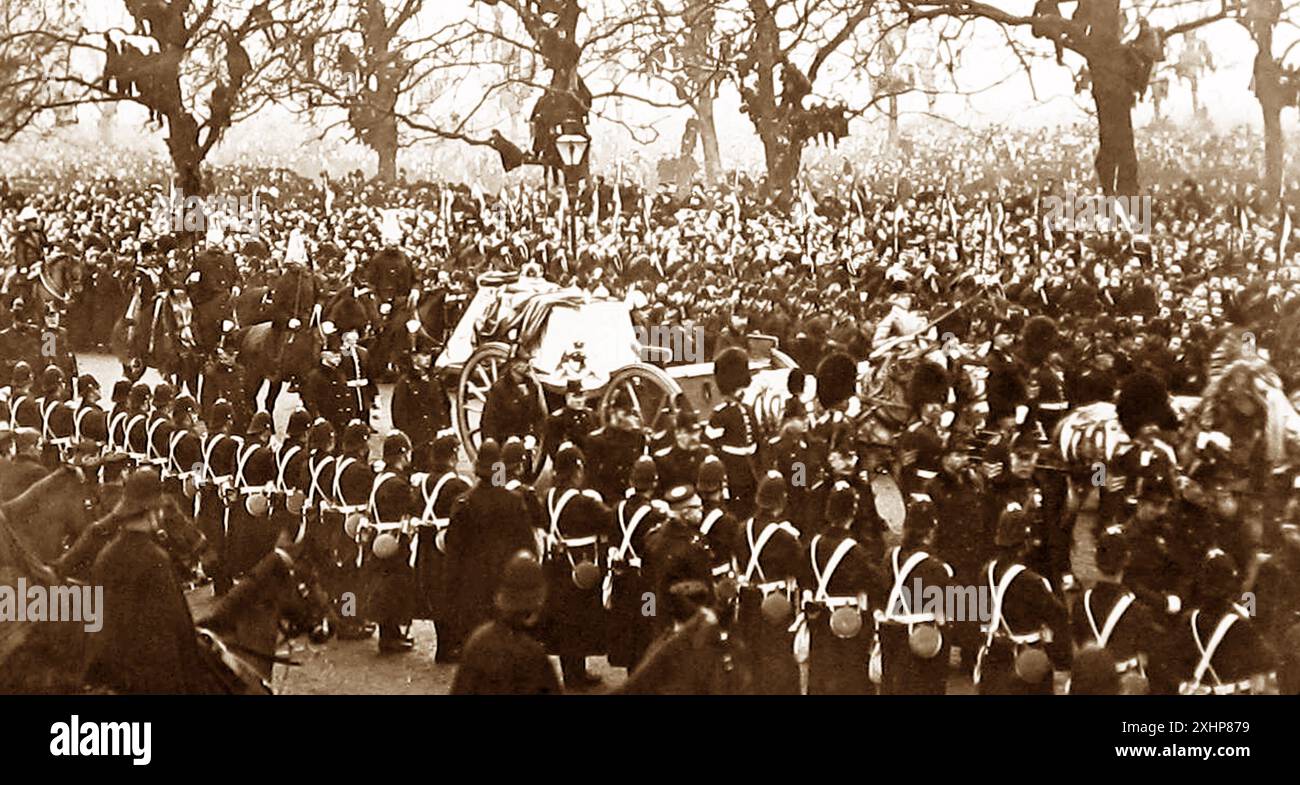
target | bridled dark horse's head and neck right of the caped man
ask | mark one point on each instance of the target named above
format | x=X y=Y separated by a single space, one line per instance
x=280 y=600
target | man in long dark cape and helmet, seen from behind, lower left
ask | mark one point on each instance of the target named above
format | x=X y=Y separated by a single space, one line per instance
x=148 y=645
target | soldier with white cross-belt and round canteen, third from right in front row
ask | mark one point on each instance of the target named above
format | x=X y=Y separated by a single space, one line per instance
x=1026 y=634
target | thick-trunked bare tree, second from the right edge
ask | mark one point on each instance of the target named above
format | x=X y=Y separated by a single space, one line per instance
x=1117 y=70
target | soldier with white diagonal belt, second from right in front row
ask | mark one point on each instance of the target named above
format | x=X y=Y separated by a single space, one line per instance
x=1111 y=617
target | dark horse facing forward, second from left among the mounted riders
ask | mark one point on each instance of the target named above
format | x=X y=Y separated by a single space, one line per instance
x=155 y=332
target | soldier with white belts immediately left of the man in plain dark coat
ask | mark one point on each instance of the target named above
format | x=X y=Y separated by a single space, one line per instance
x=440 y=488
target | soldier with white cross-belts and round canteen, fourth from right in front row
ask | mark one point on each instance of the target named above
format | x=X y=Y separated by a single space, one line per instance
x=913 y=643
